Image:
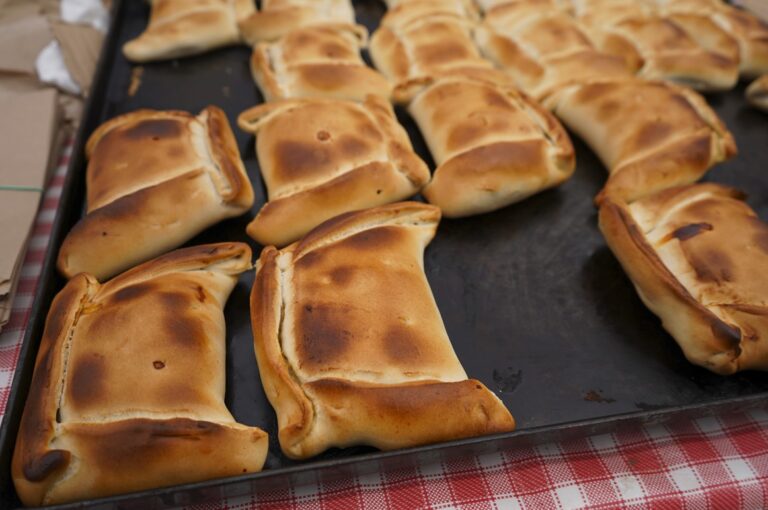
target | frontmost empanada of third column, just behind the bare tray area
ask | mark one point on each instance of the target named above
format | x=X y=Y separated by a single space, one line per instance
x=493 y=145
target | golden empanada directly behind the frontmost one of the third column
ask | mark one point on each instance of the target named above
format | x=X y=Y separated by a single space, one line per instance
x=422 y=38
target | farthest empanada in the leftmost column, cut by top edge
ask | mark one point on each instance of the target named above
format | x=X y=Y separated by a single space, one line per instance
x=178 y=28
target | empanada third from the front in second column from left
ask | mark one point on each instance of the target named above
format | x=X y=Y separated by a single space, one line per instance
x=317 y=61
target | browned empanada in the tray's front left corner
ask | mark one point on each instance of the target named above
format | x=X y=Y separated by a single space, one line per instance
x=128 y=388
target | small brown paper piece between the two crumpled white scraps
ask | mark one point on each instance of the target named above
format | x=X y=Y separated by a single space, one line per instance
x=80 y=45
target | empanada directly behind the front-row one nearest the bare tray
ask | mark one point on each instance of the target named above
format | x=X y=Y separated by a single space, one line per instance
x=324 y=157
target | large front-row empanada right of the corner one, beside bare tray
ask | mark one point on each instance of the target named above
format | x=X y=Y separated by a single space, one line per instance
x=351 y=346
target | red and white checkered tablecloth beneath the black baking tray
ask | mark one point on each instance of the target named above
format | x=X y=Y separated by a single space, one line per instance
x=708 y=463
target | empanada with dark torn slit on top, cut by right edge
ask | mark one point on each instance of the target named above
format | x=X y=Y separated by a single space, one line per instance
x=697 y=257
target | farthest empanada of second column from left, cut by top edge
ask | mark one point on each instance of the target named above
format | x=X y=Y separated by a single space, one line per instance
x=277 y=18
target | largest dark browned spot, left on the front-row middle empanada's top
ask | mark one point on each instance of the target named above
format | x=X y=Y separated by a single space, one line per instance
x=323 y=337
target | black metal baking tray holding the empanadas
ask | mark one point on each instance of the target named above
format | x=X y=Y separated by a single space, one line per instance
x=536 y=305
